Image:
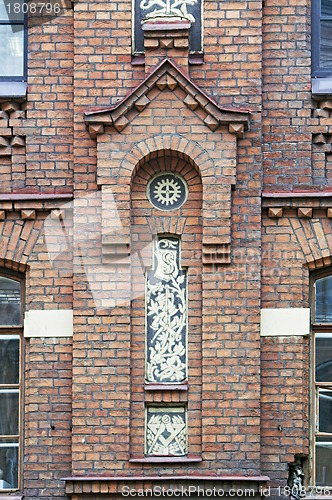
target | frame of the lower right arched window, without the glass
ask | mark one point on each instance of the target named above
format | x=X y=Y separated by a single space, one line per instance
x=316 y=386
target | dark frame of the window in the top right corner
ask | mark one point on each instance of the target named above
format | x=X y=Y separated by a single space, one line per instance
x=316 y=19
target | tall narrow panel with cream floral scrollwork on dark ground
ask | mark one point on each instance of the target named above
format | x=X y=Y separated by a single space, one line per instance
x=166 y=315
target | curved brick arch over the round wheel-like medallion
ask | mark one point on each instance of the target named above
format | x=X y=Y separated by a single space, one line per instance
x=161 y=145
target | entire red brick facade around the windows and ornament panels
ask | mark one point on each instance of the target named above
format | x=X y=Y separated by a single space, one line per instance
x=241 y=127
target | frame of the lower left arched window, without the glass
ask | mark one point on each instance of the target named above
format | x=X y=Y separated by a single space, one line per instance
x=17 y=330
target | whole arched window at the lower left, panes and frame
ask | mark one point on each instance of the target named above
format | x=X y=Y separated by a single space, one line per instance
x=11 y=319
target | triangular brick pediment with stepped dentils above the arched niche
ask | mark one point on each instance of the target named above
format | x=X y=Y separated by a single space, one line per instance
x=167 y=75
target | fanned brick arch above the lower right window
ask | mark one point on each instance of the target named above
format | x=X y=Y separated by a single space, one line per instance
x=315 y=239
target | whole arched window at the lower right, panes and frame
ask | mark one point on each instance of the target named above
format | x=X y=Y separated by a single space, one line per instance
x=322 y=336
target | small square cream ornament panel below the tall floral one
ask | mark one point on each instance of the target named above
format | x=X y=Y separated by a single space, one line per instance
x=166 y=431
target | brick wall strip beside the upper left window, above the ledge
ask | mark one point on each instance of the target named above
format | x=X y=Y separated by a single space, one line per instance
x=49 y=123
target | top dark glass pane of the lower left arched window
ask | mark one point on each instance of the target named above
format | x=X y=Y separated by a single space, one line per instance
x=10 y=302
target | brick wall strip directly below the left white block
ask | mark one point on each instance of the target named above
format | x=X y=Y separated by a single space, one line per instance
x=48 y=400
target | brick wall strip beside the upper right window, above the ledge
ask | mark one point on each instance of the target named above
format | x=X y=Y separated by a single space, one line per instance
x=286 y=95
